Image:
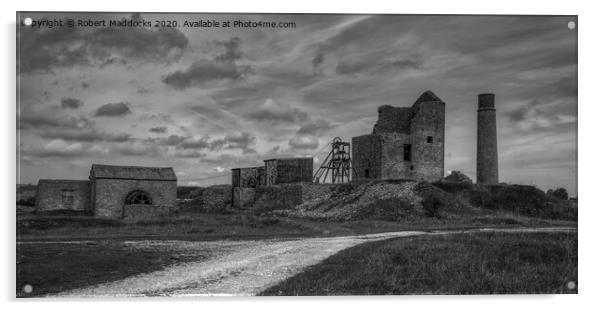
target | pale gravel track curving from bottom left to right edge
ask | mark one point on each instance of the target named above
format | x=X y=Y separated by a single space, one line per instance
x=242 y=267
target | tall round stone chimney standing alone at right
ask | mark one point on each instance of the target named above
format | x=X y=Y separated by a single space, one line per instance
x=487 y=172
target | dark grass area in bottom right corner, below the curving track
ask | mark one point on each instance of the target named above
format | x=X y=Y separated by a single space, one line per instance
x=475 y=263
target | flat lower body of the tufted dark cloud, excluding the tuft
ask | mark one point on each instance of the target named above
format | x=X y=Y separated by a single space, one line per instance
x=203 y=72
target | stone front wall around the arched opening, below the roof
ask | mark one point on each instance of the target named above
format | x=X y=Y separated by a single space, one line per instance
x=109 y=194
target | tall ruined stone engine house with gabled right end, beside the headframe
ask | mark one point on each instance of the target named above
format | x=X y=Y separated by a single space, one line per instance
x=406 y=142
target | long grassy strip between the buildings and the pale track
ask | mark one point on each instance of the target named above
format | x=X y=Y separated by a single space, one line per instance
x=245 y=225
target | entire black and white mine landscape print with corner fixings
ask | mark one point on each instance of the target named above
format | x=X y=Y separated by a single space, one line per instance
x=276 y=154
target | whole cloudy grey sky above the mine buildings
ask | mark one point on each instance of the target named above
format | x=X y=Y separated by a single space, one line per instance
x=206 y=100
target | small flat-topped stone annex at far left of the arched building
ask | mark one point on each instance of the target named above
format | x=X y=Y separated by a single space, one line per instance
x=63 y=195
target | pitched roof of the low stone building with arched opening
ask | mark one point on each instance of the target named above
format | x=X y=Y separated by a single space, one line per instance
x=133 y=173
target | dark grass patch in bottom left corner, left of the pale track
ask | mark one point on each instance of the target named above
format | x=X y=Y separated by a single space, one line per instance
x=54 y=267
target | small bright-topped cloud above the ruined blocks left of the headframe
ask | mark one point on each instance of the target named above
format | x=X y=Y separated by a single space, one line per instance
x=273 y=112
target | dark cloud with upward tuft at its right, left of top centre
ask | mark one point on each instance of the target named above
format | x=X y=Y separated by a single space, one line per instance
x=204 y=71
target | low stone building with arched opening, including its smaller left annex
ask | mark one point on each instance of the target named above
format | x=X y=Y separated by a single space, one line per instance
x=112 y=191
